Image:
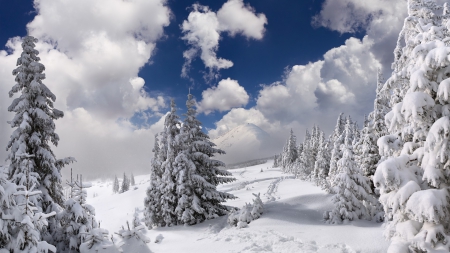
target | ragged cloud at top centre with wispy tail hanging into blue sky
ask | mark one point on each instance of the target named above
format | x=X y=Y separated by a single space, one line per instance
x=203 y=27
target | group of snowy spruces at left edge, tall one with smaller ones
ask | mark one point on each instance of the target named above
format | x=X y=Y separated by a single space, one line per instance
x=35 y=216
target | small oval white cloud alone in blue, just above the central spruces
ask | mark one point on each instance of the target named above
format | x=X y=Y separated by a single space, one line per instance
x=226 y=95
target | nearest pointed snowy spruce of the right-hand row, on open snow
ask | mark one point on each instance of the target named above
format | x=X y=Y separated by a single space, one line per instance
x=352 y=189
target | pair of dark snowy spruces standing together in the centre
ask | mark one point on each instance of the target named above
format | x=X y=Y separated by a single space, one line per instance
x=184 y=174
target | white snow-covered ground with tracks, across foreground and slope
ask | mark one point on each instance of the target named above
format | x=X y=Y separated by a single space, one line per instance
x=292 y=219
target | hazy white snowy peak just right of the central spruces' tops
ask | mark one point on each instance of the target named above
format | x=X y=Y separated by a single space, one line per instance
x=243 y=143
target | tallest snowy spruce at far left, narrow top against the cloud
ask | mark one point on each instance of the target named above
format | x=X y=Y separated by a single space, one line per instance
x=34 y=130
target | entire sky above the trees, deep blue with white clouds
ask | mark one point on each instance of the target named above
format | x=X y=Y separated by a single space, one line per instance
x=295 y=64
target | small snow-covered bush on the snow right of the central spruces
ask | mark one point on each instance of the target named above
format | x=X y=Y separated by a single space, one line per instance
x=240 y=218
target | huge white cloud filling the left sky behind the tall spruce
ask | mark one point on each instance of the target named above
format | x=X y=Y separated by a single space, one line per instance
x=93 y=52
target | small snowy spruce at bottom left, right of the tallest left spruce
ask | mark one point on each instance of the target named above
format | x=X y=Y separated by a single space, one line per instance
x=76 y=220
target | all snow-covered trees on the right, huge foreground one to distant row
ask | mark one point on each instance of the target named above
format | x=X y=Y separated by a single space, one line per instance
x=404 y=145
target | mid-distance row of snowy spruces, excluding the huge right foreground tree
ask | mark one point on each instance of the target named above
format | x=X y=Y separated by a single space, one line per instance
x=342 y=164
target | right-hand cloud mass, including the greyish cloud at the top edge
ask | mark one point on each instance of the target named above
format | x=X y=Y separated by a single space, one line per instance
x=343 y=81
